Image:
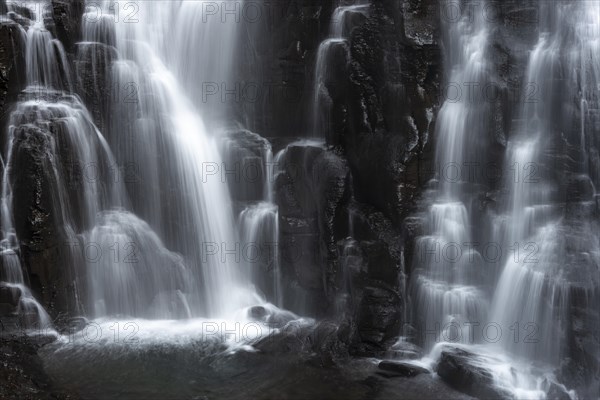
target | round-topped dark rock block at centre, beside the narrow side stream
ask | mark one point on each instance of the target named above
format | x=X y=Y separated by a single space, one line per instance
x=310 y=193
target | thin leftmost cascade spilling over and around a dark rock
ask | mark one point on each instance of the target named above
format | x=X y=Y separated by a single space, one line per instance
x=43 y=109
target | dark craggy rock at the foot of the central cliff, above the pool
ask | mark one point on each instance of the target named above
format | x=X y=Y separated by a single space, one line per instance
x=370 y=279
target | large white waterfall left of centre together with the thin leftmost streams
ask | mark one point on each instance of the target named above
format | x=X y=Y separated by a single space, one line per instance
x=178 y=263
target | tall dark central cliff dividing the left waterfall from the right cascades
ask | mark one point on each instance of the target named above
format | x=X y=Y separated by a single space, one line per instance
x=383 y=101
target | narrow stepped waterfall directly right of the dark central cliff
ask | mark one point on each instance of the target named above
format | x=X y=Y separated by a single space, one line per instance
x=446 y=290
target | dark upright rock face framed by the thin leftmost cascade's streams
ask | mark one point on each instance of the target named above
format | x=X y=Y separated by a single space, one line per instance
x=42 y=241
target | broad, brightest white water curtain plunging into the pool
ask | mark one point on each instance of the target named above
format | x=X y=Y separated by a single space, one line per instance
x=163 y=134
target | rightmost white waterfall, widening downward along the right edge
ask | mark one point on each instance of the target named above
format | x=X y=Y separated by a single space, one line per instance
x=535 y=286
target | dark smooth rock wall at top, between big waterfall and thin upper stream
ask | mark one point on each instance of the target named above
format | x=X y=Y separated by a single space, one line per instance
x=282 y=49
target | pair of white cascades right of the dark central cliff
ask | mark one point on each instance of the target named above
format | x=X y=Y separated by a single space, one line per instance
x=549 y=246
